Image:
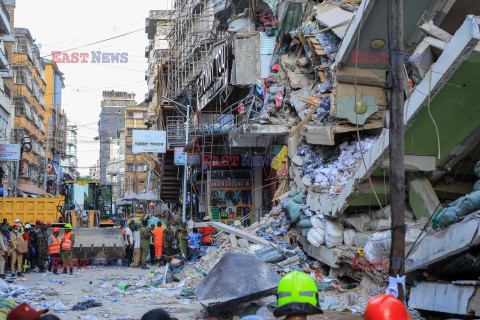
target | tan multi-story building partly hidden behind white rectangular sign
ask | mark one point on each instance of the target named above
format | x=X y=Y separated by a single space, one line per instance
x=136 y=165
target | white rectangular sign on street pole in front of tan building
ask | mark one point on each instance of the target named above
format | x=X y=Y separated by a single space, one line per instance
x=149 y=141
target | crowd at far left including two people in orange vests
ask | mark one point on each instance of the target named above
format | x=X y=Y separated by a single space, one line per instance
x=24 y=248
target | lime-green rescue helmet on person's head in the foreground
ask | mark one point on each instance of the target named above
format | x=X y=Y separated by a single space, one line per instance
x=297 y=297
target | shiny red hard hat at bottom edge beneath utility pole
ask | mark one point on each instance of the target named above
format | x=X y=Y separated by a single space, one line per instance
x=385 y=307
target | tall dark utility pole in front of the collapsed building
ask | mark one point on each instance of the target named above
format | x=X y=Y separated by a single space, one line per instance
x=397 y=128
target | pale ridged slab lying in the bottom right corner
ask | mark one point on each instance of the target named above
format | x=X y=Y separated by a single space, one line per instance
x=458 y=297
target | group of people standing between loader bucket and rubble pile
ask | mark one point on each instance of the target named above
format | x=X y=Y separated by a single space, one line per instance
x=158 y=245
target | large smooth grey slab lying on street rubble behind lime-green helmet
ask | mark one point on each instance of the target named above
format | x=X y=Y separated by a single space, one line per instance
x=231 y=281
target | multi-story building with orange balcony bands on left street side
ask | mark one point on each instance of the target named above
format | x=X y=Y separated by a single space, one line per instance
x=29 y=101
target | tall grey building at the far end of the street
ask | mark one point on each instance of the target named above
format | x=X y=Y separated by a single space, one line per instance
x=112 y=121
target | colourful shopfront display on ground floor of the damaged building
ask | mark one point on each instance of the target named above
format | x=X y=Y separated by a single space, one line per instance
x=230 y=196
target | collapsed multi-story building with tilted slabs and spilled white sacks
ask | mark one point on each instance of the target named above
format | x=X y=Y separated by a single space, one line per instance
x=290 y=109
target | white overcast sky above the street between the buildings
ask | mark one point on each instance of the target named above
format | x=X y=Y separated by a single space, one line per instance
x=66 y=24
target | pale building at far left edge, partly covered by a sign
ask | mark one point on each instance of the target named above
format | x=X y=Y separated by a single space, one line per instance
x=7 y=112
